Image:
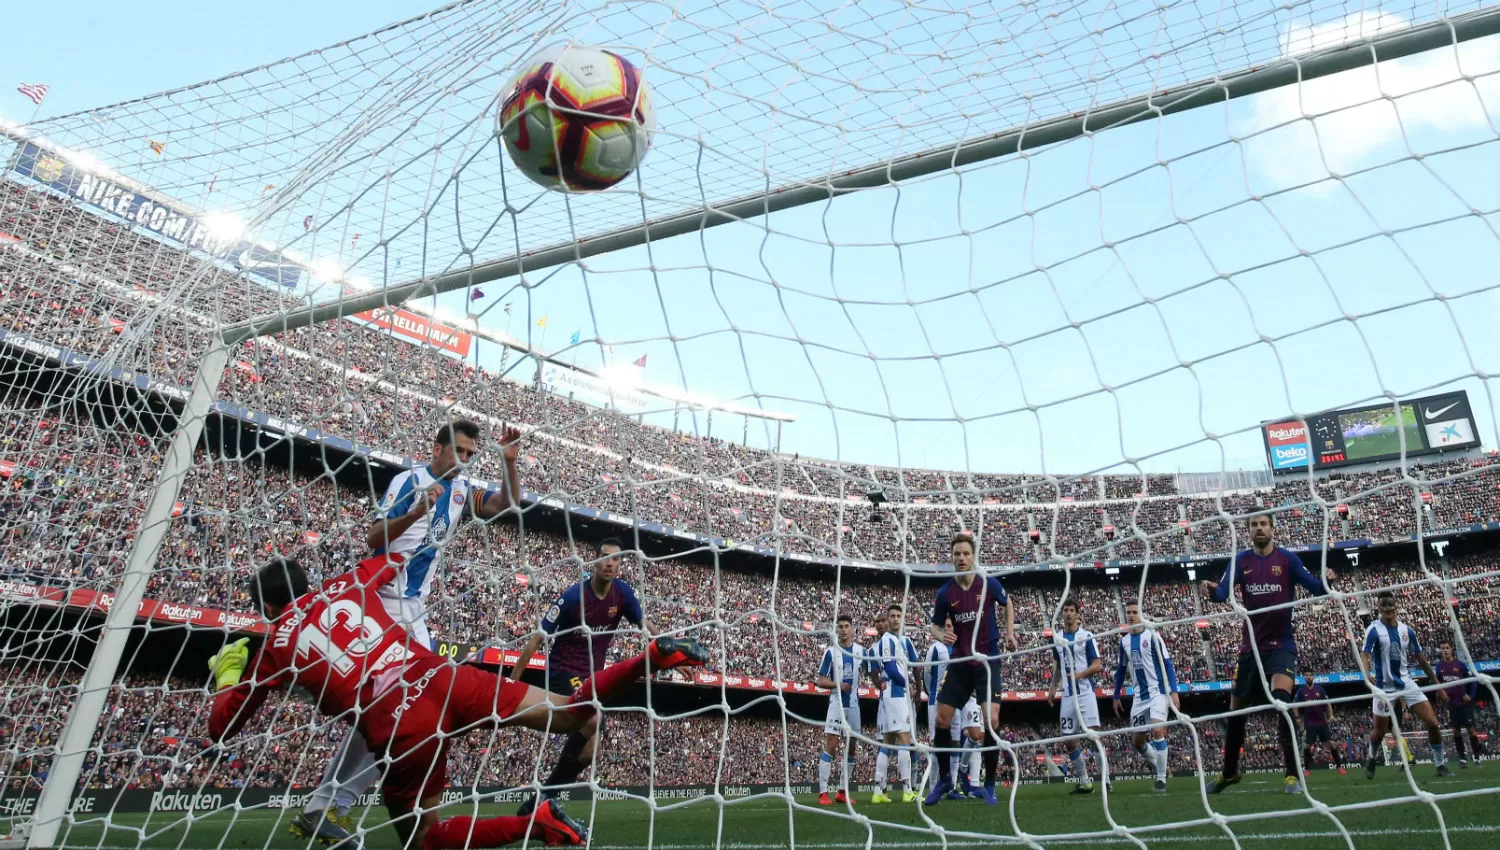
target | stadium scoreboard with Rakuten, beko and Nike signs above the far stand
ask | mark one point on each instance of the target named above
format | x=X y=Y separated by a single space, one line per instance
x=1372 y=434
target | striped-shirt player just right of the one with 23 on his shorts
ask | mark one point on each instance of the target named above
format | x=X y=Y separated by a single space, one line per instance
x=1147 y=663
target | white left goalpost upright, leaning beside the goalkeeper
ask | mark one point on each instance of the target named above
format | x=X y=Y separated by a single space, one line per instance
x=68 y=762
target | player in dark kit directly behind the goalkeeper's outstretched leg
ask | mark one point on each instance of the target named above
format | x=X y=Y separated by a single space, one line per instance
x=583 y=621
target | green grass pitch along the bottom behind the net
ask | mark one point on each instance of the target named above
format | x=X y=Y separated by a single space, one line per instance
x=1046 y=813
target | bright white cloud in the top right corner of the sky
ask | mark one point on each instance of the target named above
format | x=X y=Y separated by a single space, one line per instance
x=1366 y=116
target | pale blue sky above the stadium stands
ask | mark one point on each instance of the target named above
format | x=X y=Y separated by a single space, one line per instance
x=1118 y=298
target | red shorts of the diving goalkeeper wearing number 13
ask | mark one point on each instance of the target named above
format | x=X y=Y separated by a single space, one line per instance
x=403 y=726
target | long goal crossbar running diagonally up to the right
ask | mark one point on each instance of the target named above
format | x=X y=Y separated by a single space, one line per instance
x=1286 y=71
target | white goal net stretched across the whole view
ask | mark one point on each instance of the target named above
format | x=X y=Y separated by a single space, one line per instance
x=1097 y=284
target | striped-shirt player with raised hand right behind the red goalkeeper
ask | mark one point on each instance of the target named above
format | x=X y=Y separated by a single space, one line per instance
x=419 y=515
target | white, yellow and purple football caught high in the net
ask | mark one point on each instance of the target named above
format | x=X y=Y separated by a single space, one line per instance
x=578 y=119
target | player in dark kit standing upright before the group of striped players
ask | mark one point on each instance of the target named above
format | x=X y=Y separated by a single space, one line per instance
x=973 y=603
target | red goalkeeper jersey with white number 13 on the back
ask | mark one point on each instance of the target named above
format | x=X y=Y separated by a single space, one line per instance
x=337 y=642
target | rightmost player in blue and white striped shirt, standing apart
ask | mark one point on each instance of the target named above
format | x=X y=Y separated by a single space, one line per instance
x=1387 y=660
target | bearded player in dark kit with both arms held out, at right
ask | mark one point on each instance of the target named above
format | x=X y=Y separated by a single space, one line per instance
x=1267 y=576
